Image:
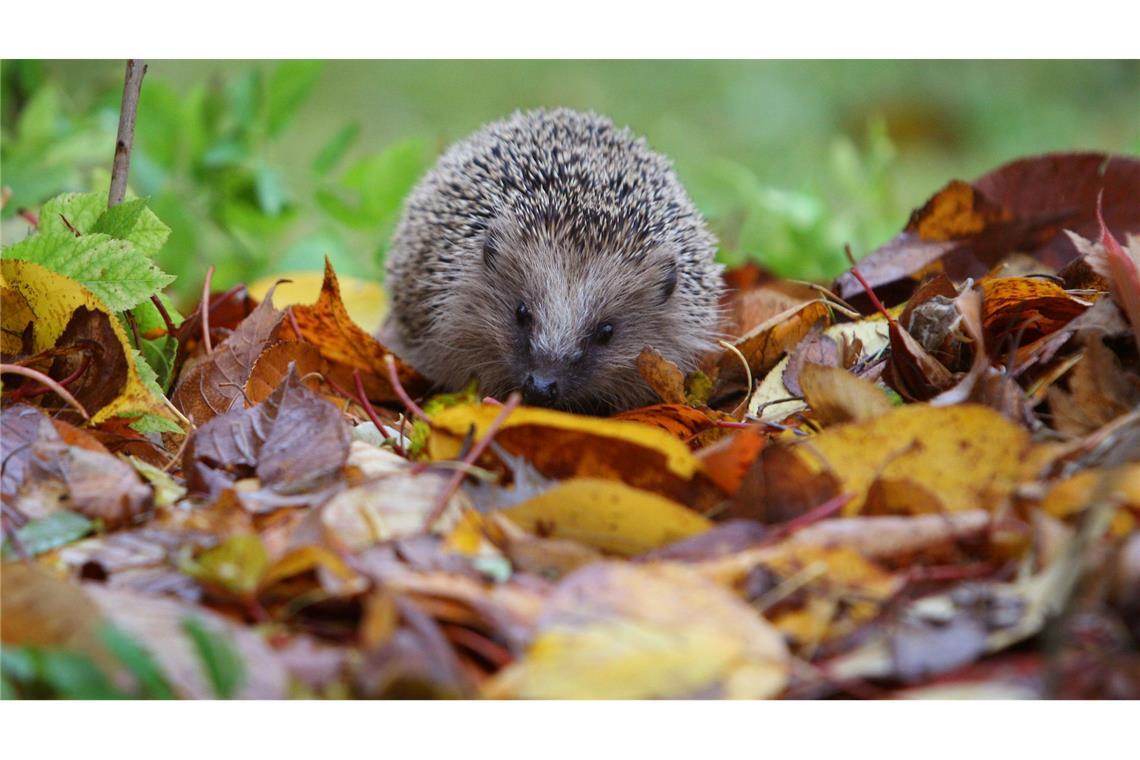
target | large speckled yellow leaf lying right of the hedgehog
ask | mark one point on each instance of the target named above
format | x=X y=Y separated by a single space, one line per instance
x=968 y=456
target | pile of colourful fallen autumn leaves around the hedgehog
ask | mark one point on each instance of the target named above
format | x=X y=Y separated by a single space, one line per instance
x=921 y=480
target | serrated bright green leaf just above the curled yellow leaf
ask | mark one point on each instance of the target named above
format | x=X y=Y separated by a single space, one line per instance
x=115 y=271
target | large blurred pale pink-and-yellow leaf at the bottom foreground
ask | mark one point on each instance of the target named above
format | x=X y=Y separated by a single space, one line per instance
x=617 y=631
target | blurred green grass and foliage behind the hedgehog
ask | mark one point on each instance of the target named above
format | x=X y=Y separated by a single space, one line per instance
x=264 y=167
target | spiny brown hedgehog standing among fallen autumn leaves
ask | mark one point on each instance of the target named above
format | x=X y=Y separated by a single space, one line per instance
x=543 y=255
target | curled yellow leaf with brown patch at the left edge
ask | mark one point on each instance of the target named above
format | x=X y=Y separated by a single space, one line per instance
x=39 y=297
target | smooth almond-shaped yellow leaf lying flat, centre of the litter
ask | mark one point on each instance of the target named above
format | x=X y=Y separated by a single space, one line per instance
x=608 y=516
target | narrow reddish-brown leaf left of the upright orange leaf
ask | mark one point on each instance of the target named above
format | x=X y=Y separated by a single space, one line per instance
x=215 y=386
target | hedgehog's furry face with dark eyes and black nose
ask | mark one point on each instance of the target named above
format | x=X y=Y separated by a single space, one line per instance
x=572 y=324
